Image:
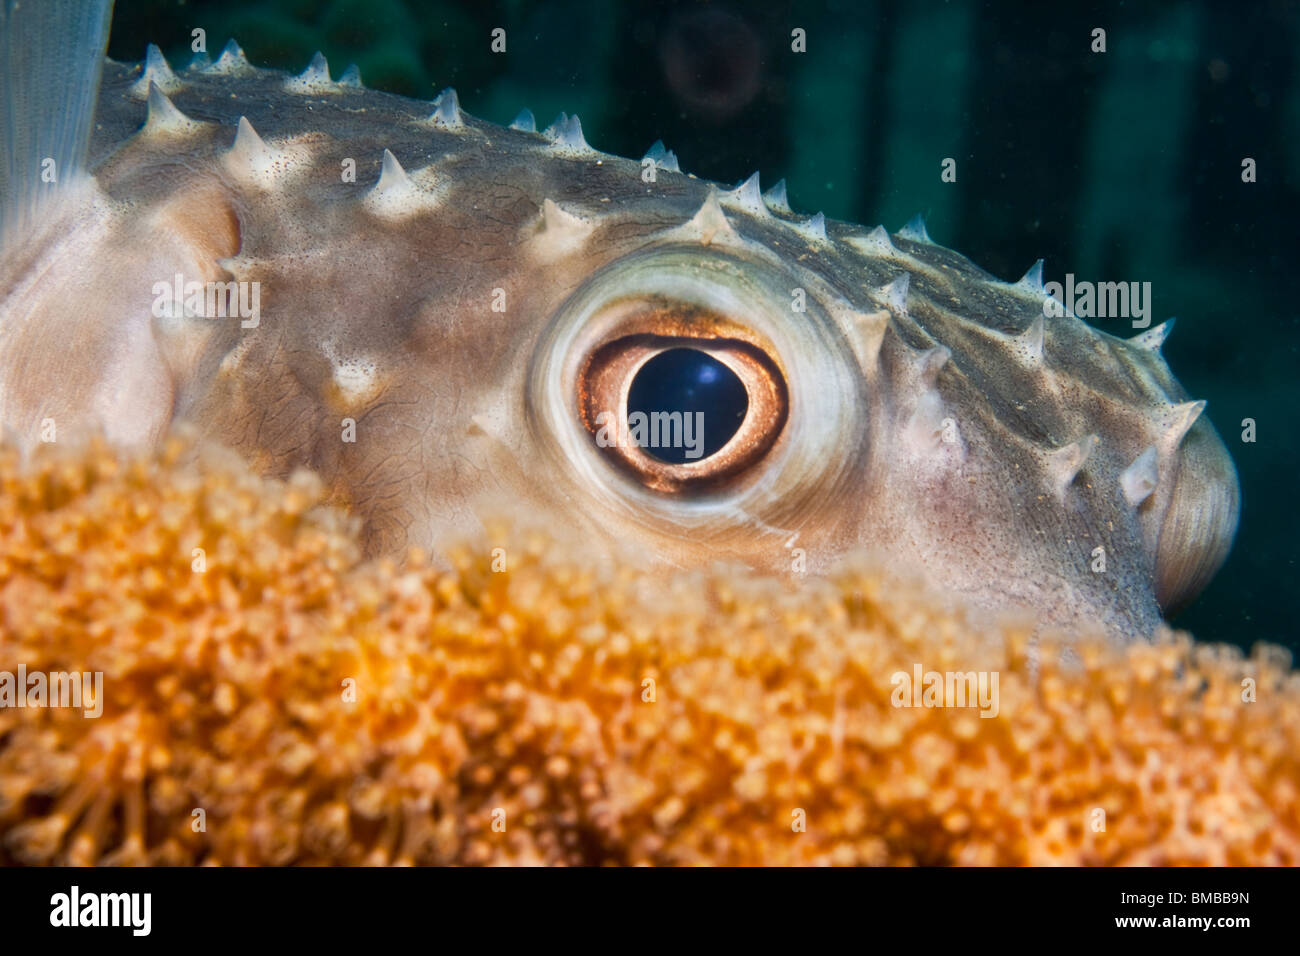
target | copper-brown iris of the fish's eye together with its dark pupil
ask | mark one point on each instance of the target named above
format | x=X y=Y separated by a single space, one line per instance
x=682 y=413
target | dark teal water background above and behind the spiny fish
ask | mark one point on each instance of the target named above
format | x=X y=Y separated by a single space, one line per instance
x=1124 y=166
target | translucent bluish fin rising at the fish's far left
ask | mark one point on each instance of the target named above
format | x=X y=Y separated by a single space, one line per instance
x=51 y=60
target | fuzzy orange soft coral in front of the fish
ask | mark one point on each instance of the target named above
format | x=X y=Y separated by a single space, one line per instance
x=292 y=704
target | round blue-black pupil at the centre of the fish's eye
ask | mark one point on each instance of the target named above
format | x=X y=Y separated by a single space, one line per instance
x=690 y=403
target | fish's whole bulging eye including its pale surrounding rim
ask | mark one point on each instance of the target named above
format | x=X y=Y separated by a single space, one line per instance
x=638 y=353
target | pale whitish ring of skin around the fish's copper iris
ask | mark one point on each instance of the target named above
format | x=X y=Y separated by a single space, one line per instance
x=822 y=380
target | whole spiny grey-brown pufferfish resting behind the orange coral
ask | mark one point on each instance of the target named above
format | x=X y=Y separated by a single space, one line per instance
x=444 y=317
